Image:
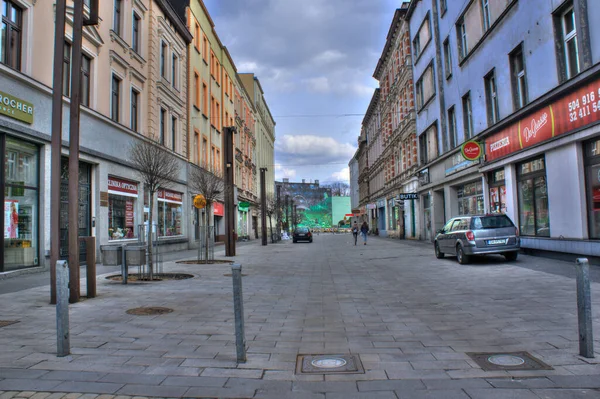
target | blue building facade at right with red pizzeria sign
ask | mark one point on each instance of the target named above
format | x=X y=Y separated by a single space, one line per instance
x=521 y=79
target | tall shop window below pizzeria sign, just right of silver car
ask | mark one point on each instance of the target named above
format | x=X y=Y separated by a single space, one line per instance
x=533 y=199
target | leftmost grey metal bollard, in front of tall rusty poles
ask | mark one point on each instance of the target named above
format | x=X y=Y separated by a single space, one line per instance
x=62 y=309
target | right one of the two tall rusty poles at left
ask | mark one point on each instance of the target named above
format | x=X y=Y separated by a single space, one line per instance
x=74 y=152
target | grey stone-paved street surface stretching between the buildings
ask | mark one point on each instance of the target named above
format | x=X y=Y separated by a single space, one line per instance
x=410 y=318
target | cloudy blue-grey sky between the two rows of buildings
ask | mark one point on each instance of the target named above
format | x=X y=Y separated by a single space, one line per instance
x=315 y=60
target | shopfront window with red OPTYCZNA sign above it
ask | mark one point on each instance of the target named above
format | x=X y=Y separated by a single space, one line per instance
x=122 y=205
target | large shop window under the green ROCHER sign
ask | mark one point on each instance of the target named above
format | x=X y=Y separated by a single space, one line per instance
x=20 y=206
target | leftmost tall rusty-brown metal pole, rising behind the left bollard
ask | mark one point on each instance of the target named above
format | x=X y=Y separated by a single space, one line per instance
x=57 y=106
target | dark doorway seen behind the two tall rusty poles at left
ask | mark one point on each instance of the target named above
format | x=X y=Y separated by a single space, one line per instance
x=85 y=182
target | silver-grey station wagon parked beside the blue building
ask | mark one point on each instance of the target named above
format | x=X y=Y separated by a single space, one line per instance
x=465 y=236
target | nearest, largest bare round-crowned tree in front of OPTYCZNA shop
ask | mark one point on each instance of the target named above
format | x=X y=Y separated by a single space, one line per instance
x=157 y=168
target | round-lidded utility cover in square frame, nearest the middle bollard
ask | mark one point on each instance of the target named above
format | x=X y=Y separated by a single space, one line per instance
x=329 y=364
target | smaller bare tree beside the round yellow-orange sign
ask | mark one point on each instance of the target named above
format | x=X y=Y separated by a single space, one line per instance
x=208 y=182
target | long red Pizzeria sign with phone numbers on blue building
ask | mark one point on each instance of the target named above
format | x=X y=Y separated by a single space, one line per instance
x=575 y=110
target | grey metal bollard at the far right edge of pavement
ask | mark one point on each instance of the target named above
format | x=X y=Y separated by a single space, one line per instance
x=584 y=308
